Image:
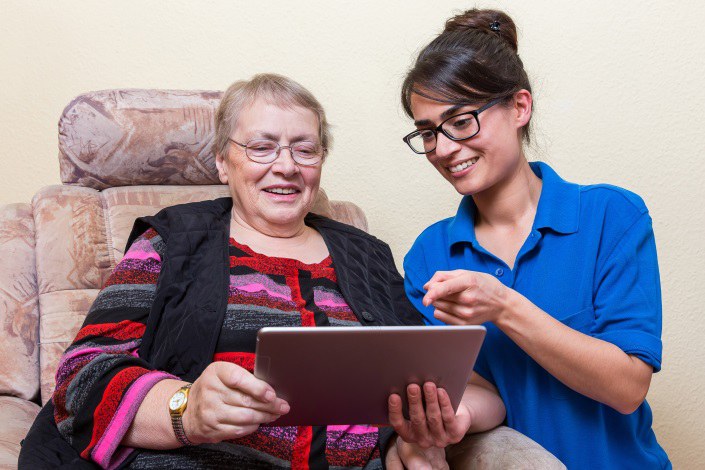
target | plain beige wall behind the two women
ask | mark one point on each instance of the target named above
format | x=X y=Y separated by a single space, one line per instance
x=618 y=87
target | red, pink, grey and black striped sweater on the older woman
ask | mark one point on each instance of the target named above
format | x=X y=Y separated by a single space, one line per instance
x=101 y=380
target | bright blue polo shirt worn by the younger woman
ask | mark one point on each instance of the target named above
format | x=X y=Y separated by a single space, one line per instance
x=590 y=262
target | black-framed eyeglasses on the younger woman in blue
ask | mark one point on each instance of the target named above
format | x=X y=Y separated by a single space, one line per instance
x=462 y=126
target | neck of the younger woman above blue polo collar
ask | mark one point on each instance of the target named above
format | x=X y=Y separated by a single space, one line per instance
x=512 y=201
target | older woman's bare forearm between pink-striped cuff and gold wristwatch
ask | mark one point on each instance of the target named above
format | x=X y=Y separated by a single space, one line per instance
x=151 y=427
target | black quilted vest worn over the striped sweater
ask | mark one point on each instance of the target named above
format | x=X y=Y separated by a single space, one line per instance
x=191 y=298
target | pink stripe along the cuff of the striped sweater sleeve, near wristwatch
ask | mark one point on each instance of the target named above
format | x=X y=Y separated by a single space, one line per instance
x=103 y=452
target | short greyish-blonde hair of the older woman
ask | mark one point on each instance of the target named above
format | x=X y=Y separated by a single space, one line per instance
x=275 y=89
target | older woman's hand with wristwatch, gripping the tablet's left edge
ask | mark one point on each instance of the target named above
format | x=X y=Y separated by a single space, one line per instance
x=228 y=402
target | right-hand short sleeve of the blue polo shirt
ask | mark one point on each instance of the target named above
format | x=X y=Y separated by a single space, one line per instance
x=627 y=298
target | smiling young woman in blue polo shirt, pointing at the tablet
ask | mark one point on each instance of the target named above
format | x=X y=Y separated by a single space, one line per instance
x=564 y=276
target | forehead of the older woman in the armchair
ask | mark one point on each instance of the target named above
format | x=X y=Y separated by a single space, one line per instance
x=265 y=116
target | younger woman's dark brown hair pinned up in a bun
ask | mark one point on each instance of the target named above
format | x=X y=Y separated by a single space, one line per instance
x=474 y=60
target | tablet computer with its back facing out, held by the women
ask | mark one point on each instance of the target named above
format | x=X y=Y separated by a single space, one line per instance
x=344 y=375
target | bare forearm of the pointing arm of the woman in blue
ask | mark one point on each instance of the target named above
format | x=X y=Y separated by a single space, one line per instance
x=590 y=366
